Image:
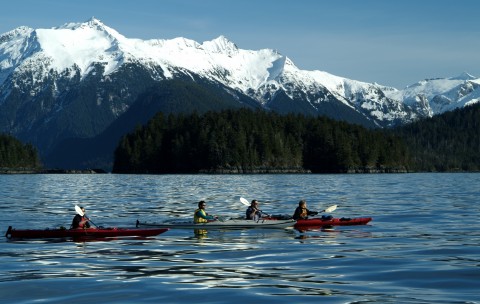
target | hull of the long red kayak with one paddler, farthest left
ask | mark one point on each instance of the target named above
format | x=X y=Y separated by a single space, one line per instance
x=81 y=233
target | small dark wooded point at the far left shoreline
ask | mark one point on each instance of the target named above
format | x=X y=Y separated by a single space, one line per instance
x=14 y=154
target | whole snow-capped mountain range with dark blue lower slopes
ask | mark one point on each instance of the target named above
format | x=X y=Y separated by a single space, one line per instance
x=74 y=90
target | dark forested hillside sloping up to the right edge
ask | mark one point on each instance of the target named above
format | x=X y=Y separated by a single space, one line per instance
x=447 y=142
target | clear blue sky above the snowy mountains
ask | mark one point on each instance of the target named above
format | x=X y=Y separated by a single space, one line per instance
x=394 y=43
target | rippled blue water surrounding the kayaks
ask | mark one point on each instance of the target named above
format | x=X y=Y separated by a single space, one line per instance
x=423 y=245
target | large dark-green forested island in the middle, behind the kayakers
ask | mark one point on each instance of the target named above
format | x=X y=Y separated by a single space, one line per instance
x=246 y=141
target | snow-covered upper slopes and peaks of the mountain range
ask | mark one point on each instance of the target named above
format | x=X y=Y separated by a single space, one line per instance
x=30 y=57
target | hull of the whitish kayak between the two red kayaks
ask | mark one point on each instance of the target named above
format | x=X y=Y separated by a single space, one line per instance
x=226 y=224
